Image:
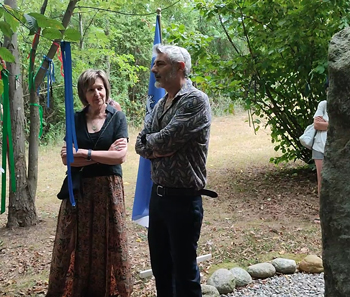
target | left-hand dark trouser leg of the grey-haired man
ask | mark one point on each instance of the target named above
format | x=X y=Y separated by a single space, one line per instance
x=158 y=240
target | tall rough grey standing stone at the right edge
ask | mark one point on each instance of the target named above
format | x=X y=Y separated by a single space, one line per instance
x=335 y=192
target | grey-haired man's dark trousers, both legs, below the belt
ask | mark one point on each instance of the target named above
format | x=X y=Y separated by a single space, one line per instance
x=174 y=229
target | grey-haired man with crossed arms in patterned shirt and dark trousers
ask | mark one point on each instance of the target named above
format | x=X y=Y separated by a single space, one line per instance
x=175 y=138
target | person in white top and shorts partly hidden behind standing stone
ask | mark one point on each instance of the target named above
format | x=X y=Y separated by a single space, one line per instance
x=321 y=125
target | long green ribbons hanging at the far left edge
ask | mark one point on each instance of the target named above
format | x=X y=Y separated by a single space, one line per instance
x=7 y=144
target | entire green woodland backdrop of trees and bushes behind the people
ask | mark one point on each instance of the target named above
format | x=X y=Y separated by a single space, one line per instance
x=270 y=56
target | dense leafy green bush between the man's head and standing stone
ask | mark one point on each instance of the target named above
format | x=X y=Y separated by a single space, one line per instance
x=274 y=59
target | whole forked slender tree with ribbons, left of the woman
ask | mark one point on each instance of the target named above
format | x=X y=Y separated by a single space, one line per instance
x=22 y=210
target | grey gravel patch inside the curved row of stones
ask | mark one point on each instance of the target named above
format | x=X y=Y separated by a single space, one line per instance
x=294 y=285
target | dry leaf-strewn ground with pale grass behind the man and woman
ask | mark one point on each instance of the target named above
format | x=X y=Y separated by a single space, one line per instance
x=263 y=211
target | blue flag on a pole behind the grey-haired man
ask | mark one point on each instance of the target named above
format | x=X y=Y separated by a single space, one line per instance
x=144 y=182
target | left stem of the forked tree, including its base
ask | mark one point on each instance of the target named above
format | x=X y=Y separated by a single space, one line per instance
x=21 y=210
